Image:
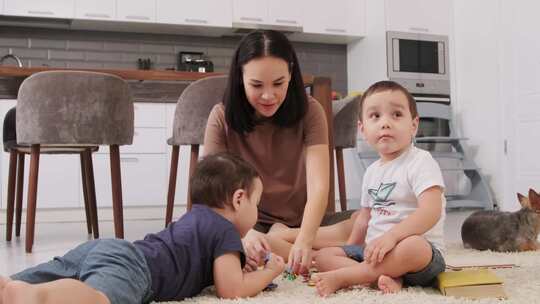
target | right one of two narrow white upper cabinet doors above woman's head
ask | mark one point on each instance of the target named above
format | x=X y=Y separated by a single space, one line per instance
x=285 y=12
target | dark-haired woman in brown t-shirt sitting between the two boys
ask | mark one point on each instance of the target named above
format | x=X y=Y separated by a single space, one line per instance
x=267 y=119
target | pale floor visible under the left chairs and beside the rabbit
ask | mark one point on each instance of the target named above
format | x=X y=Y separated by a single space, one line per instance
x=54 y=239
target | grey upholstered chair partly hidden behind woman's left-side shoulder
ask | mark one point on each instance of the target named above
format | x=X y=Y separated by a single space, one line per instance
x=189 y=125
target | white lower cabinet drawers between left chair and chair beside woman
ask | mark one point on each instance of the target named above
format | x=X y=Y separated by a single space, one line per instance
x=143 y=164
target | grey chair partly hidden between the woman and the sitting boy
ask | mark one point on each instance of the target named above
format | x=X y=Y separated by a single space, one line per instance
x=345 y=112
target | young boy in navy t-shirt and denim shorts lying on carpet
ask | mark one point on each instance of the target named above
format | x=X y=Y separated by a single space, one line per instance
x=200 y=249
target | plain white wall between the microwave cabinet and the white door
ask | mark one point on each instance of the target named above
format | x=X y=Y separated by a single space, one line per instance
x=475 y=85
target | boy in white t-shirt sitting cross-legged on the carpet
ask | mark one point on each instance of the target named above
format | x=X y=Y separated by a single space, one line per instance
x=398 y=236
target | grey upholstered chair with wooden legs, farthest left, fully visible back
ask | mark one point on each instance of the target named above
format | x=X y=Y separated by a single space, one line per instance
x=74 y=111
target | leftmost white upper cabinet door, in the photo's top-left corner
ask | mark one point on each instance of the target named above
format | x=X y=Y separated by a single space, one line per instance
x=40 y=8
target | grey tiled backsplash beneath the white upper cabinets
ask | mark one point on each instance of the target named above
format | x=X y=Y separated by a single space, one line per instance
x=93 y=49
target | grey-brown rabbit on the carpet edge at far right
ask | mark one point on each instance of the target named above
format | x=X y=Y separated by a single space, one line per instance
x=505 y=231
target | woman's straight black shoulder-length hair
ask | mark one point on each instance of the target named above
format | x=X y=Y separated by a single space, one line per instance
x=239 y=114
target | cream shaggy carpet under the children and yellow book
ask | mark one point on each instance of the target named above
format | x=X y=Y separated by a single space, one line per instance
x=522 y=284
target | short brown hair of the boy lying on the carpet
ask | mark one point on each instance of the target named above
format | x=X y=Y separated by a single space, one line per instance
x=217 y=176
